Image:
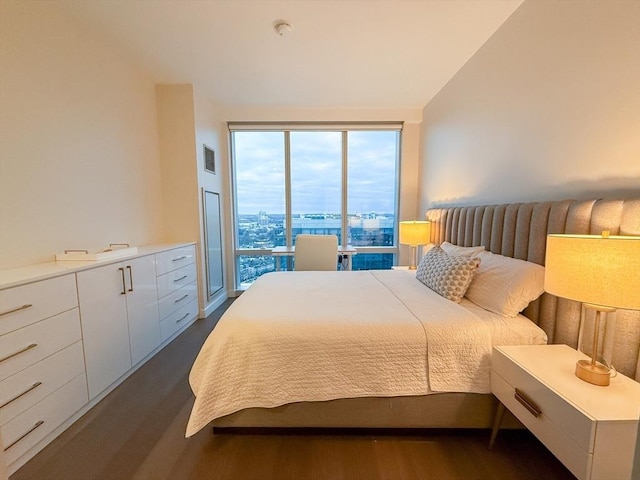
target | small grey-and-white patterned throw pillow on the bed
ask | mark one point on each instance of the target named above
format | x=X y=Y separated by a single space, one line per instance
x=445 y=274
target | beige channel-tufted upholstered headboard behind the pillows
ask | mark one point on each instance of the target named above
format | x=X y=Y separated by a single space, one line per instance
x=520 y=230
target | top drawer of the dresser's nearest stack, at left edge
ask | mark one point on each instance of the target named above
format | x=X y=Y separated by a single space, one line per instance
x=27 y=304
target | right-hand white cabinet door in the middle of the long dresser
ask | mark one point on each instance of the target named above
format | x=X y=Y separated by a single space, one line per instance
x=142 y=306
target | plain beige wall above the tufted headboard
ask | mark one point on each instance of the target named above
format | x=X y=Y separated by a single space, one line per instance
x=549 y=108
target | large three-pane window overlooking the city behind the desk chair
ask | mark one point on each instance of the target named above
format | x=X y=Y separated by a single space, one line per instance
x=289 y=180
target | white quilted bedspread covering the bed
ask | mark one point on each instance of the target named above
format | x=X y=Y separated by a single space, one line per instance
x=315 y=336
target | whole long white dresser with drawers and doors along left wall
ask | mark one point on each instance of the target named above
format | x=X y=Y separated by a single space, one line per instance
x=71 y=332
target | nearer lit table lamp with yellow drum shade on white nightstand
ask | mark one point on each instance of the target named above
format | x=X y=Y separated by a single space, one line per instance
x=602 y=272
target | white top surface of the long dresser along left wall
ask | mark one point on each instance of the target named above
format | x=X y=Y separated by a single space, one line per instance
x=14 y=277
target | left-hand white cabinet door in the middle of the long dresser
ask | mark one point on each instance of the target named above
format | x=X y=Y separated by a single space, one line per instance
x=105 y=331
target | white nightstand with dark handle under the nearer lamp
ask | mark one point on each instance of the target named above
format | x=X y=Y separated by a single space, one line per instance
x=592 y=430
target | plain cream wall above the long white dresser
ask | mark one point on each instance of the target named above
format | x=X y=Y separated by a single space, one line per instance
x=78 y=139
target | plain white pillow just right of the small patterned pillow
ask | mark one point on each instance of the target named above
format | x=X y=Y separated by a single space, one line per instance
x=505 y=285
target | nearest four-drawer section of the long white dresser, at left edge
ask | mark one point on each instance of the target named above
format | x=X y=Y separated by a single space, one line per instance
x=42 y=371
